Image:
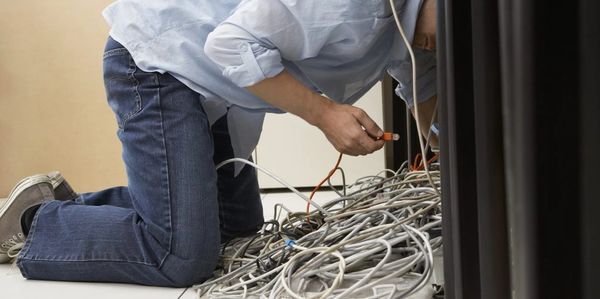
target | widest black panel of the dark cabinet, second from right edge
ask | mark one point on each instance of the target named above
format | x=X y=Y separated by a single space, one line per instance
x=541 y=117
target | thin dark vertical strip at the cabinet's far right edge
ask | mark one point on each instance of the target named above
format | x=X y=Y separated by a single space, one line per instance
x=590 y=146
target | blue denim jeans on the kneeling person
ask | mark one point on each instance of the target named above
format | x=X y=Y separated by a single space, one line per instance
x=165 y=228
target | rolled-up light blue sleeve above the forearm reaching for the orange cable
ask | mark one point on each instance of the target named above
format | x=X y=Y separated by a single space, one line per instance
x=247 y=46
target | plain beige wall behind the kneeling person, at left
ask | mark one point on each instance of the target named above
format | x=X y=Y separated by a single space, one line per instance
x=53 y=111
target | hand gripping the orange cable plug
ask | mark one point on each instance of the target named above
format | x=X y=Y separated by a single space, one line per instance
x=349 y=129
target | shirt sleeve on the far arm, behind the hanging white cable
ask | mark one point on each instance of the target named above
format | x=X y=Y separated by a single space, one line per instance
x=426 y=77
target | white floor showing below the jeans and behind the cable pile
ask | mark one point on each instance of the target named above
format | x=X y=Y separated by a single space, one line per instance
x=13 y=285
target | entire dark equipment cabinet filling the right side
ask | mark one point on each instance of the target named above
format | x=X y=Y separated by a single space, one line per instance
x=519 y=92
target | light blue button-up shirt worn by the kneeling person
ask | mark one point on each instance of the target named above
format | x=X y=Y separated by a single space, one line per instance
x=340 y=48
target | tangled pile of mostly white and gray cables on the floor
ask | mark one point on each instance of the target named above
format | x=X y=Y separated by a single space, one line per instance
x=375 y=241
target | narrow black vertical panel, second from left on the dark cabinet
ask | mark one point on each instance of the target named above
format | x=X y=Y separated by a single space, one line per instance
x=487 y=87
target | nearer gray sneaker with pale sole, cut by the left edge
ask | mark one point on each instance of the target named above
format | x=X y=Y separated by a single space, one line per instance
x=27 y=193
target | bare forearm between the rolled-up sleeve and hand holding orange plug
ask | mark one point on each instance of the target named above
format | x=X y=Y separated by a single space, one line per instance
x=286 y=93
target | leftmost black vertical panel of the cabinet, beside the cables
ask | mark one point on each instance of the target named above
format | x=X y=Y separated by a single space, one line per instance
x=455 y=69
